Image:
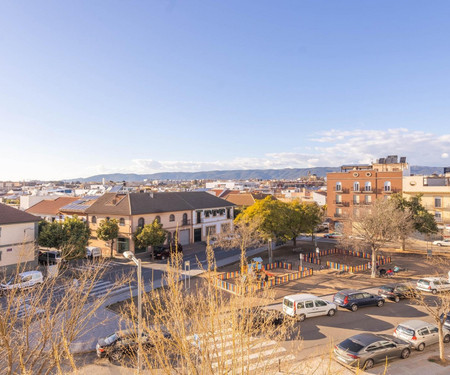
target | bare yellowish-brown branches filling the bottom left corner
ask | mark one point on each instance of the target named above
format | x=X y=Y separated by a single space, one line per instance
x=38 y=325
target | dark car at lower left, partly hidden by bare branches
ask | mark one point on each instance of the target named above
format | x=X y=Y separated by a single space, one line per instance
x=121 y=343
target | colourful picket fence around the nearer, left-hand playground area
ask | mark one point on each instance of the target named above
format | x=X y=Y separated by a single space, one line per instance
x=222 y=282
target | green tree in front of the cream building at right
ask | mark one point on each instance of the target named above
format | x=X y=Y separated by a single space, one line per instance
x=421 y=220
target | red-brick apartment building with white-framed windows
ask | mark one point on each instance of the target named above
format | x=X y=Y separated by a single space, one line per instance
x=357 y=186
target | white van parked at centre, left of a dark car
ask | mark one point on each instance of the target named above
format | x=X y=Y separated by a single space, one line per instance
x=302 y=306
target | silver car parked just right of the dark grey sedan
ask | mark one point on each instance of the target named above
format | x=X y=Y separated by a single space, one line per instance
x=420 y=334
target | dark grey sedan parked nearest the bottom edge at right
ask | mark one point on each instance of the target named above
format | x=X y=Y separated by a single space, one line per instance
x=366 y=349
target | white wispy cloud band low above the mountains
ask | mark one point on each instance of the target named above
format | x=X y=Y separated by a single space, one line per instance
x=328 y=148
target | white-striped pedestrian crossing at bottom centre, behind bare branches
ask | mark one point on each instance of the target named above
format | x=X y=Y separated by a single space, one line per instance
x=249 y=354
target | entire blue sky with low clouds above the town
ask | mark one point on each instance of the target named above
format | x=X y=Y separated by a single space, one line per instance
x=107 y=86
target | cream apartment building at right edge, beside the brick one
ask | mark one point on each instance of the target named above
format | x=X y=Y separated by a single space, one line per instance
x=435 y=191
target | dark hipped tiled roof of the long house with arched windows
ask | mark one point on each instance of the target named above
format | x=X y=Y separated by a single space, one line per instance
x=145 y=203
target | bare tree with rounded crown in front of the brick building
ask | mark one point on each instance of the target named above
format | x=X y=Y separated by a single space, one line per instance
x=379 y=224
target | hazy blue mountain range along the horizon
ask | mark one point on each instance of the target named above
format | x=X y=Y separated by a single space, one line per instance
x=247 y=174
